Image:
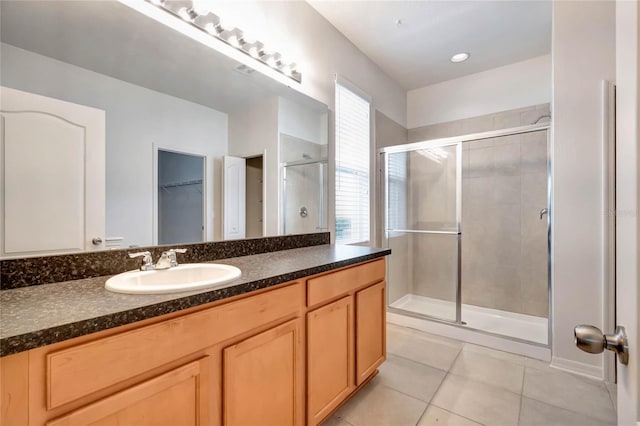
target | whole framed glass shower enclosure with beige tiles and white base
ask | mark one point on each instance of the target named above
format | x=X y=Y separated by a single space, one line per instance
x=467 y=221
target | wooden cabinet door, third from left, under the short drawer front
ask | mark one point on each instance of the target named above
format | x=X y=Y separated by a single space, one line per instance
x=330 y=357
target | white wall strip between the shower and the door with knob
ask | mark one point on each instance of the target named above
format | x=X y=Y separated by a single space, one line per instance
x=583 y=52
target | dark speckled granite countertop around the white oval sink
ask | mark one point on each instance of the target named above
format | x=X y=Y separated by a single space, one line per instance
x=40 y=315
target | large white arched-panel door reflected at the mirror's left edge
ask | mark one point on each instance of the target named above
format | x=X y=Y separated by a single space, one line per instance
x=53 y=175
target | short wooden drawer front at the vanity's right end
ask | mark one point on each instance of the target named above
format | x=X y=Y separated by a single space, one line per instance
x=332 y=285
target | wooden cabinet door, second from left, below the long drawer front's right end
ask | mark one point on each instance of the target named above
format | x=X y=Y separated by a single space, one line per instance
x=263 y=378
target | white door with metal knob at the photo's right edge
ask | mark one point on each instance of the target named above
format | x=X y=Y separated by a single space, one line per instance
x=627 y=204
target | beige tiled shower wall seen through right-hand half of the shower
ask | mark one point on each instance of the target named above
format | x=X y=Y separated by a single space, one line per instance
x=504 y=250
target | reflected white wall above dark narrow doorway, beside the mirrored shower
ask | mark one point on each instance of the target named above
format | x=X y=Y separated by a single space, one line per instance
x=252 y=131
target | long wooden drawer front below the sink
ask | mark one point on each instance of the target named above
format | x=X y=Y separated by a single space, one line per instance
x=80 y=370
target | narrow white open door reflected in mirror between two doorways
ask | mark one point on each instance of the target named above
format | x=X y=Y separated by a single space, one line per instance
x=234 y=197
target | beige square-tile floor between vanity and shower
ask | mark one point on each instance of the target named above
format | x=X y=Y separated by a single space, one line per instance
x=430 y=380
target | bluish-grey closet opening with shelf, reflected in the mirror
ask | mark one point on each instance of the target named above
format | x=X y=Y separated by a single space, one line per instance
x=180 y=198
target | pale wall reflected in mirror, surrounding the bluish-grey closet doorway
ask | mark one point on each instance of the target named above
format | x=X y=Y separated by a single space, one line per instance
x=136 y=118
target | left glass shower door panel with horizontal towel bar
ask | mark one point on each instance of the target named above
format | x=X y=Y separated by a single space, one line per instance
x=422 y=227
